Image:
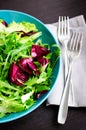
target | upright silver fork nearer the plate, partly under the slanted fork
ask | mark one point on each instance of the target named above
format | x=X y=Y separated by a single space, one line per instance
x=63 y=35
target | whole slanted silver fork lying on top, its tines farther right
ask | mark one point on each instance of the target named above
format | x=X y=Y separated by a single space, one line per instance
x=74 y=47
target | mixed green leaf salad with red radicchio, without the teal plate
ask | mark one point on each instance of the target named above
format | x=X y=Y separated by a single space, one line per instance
x=25 y=66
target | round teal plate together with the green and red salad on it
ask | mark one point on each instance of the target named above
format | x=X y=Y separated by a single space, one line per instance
x=29 y=64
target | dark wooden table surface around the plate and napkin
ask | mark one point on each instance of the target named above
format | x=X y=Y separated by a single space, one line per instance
x=44 y=118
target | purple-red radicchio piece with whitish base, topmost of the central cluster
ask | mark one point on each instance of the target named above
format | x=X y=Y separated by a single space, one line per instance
x=38 y=51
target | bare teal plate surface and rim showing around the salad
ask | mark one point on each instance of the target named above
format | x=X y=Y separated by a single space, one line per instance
x=47 y=37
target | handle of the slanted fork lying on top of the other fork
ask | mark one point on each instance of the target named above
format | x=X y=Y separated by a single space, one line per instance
x=63 y=108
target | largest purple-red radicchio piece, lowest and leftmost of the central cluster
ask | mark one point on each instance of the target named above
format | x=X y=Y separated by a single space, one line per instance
x=17 y=75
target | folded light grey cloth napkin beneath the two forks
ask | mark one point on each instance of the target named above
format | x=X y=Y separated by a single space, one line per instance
x=77 y=93
